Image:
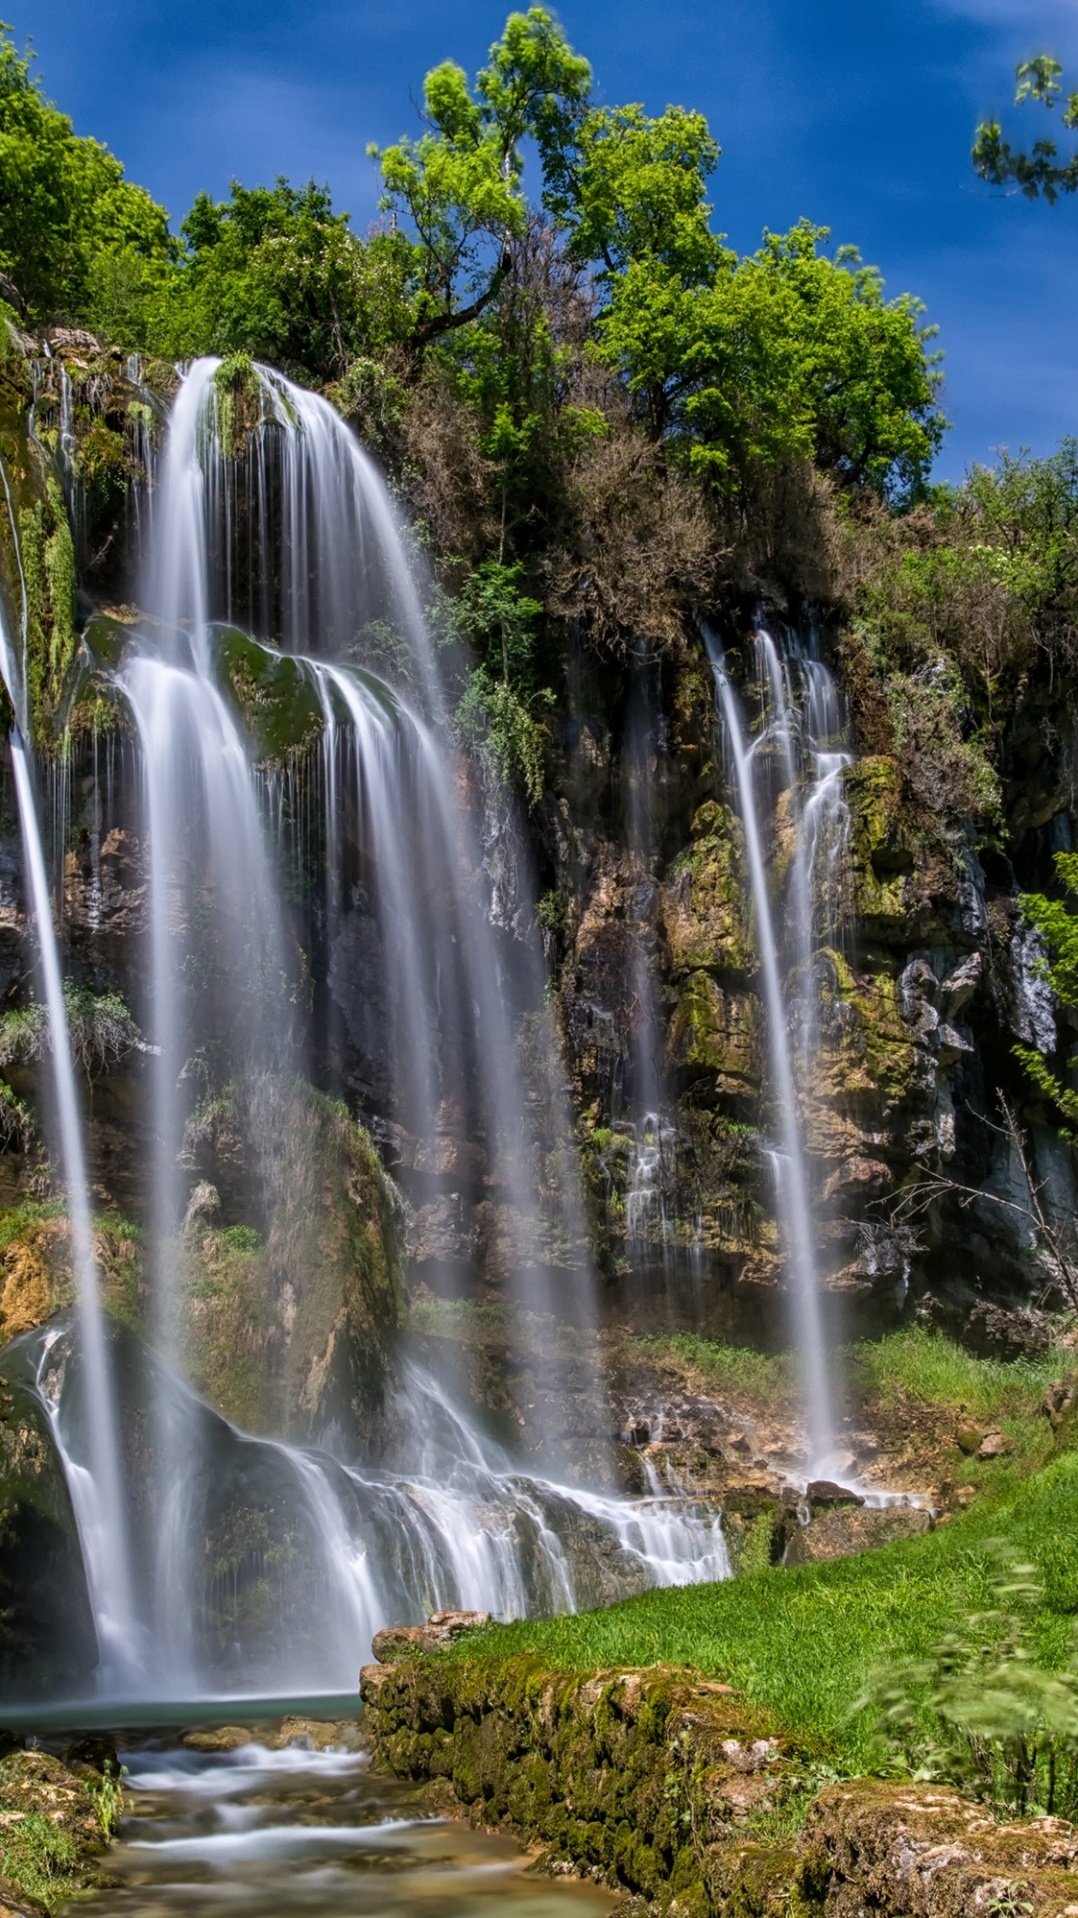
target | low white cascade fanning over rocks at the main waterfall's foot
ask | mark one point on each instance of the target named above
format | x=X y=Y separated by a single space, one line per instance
x=348 y=1549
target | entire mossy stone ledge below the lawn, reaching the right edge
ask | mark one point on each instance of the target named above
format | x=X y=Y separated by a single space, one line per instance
x=682 y=1794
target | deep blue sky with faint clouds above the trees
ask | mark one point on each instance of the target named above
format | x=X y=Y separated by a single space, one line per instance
x=853 y=112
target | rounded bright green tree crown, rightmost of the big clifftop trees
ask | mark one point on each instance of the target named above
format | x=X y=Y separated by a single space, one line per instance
x=785 y=356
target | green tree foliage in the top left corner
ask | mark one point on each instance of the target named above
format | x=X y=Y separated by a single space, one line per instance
x=68 y=216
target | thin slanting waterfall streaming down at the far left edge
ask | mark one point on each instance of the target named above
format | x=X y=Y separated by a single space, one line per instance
x=95 y=1478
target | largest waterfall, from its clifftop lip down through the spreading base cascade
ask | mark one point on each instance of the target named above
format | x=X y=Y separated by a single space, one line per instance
x=293 y=532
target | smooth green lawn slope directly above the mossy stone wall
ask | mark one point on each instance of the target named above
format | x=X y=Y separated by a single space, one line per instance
x=803 y=1643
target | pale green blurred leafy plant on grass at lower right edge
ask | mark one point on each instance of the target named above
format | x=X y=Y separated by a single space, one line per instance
x=979 y=1710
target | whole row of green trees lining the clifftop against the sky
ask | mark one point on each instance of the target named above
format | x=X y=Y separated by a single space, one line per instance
x=728 y=363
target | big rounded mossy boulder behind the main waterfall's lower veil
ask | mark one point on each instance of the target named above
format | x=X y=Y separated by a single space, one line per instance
x=291 y=1313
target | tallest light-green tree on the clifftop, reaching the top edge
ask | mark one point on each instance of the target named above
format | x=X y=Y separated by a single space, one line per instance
x=459 y=185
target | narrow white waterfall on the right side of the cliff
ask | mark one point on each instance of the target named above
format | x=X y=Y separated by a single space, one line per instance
x=812 y=908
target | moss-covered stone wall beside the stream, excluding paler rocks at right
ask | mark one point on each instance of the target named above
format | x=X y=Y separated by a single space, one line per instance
x=628 y=1773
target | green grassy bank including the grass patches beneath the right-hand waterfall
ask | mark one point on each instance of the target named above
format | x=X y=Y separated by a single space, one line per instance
x=803 y=1643
